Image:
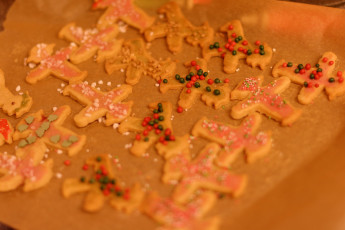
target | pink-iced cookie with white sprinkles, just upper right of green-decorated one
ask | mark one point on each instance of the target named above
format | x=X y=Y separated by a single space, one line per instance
x=99 y=104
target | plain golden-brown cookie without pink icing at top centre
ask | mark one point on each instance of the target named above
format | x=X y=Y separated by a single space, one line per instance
x=175 y=27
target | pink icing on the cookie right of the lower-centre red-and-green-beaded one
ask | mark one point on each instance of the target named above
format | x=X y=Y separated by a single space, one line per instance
x=235 y=138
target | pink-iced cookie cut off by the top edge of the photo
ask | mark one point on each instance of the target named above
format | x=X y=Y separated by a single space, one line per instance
x=124 y=10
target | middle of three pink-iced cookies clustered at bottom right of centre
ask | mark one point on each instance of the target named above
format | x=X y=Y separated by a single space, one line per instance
x=201 y=173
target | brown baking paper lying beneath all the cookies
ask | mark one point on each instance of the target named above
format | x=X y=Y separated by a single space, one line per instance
x=298 y=32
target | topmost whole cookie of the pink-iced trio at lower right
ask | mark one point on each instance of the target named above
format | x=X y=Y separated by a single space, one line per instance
x=234 y=140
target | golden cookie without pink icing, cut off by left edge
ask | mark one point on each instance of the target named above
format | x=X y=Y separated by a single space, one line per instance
x=13 y=104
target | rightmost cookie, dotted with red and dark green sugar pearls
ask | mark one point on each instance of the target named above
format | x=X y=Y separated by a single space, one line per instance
x=314 y=79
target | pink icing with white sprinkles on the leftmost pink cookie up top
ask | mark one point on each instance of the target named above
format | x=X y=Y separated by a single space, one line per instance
x=57 y=62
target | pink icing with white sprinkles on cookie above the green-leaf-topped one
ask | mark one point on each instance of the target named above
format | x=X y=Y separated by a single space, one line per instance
x=102 y=101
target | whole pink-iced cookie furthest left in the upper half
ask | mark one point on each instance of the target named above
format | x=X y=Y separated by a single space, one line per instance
x=55 y=64
